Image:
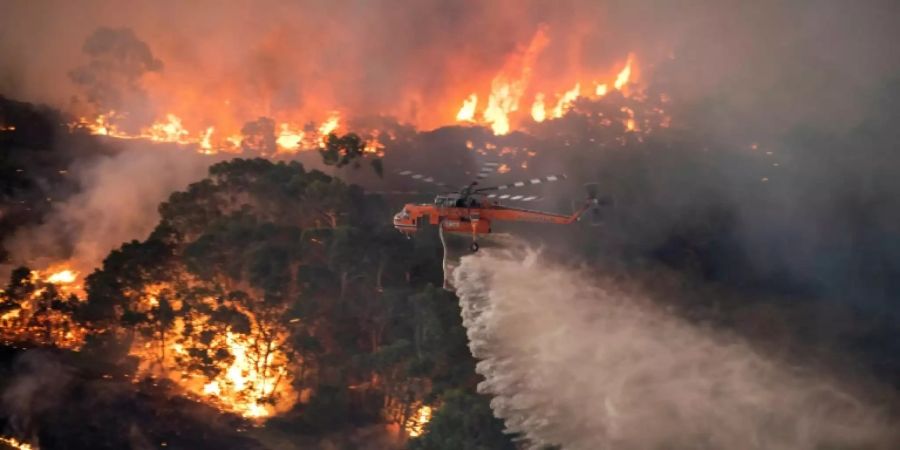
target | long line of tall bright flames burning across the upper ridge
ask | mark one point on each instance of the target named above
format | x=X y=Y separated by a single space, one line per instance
x=210 y=117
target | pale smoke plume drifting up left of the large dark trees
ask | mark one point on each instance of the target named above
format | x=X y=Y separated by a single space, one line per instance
x=116 y=202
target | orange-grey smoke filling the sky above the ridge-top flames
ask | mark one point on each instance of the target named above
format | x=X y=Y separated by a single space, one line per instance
x=418 y=61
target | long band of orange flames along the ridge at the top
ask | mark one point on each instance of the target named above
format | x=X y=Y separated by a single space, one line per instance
x=512 y=99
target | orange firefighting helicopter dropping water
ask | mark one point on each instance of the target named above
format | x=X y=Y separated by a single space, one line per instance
x=473 y=209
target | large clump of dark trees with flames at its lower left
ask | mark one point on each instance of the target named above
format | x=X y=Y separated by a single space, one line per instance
x=266 y=284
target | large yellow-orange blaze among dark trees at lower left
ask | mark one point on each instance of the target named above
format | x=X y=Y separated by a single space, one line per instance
x=249 y=370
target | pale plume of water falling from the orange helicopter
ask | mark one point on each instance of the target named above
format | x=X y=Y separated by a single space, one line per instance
x=576 y=360
